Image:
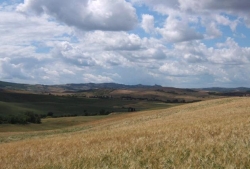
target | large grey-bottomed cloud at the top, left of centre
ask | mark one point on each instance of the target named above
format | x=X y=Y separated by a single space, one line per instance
x=86 y=14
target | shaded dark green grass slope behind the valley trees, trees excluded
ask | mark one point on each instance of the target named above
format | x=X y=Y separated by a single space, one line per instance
x=16 y=103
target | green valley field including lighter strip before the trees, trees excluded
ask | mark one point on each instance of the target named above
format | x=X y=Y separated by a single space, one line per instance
x=17 y=104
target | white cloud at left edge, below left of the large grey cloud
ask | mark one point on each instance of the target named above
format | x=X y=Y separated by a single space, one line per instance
x=14 y=26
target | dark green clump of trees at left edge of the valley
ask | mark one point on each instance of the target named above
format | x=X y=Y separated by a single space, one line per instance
x=22 y=118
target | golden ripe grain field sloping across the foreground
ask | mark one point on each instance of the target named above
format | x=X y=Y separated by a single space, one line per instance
x=210 y=134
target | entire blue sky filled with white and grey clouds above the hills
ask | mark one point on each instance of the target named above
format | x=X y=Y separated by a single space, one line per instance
x=177 y=43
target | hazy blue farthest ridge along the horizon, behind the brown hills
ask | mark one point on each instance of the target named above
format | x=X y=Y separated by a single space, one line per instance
x=38 y=88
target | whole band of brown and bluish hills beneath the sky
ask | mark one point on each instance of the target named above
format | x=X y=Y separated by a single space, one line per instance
x=126 y=92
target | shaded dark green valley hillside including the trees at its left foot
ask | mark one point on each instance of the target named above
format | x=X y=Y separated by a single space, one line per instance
x=14 y=106
